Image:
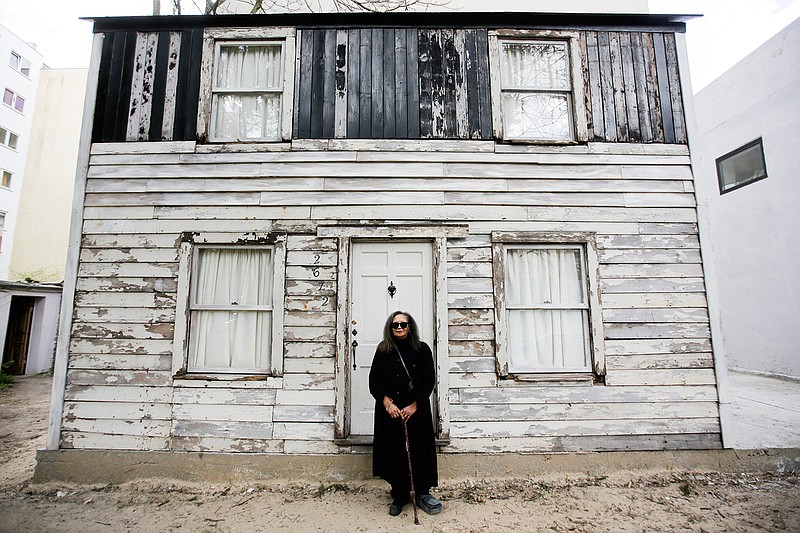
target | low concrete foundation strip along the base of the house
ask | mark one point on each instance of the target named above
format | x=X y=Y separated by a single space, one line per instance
x=99 y=466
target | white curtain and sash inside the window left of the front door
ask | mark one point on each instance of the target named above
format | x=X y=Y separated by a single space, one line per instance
x=231 y=316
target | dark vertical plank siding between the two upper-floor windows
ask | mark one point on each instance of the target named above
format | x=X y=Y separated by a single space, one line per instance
x=397 y=83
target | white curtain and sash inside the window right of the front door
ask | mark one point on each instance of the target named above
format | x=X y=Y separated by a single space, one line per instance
x=546 y=309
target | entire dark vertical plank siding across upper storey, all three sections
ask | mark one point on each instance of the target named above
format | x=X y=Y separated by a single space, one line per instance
x=390 y=83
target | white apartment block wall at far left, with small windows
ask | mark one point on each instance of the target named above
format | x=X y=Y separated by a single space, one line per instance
x=13 y=160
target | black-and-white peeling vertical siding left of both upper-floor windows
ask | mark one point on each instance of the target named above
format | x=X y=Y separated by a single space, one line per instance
x=118 y=69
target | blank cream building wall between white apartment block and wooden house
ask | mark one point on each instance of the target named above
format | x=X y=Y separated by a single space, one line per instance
x=40 y=241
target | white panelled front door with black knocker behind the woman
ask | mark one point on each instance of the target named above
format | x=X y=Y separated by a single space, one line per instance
x=387 y=277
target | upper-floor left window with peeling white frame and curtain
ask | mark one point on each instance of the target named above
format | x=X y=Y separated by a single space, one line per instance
x=250 y=91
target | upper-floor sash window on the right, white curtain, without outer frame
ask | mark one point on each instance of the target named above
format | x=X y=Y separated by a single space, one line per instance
x=536 y=90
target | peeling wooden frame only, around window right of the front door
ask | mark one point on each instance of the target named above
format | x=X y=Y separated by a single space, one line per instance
x=595 y=347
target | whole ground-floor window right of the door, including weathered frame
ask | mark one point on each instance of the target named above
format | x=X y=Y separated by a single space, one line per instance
x=548 y=312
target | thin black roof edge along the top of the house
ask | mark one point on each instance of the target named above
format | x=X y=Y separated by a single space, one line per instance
x=672 y=23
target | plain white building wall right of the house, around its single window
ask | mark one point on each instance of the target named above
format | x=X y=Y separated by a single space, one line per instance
x=756 y=229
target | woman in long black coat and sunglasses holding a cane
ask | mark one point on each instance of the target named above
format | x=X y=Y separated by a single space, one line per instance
x=401 y=380
